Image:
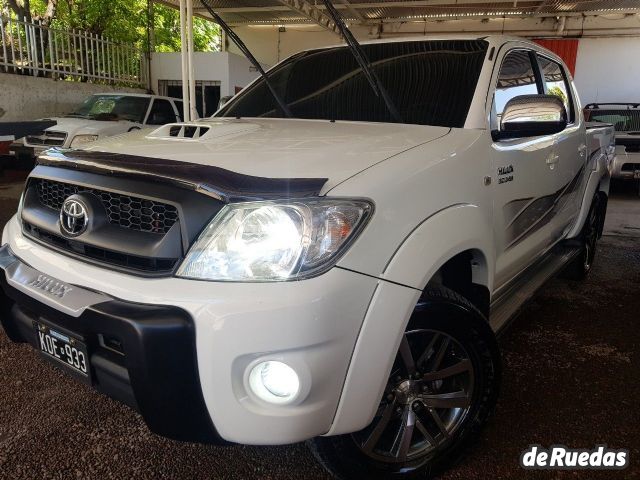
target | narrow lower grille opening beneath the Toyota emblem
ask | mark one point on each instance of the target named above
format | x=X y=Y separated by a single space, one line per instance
x=129 y=262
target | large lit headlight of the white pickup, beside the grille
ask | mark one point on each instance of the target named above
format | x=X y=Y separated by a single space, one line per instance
x=267 y=241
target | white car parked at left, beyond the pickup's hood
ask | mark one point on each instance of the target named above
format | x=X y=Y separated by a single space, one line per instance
x=100 y=116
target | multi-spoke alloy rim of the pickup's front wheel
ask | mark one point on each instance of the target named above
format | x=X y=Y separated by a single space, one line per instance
x=427 y=398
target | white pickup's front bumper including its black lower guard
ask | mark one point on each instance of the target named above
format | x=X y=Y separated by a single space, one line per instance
x=311 y=325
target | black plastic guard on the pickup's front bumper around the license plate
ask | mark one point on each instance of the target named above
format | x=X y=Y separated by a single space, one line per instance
x=158 y=373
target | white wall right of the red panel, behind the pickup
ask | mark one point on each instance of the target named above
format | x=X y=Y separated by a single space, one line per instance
x=608 y=69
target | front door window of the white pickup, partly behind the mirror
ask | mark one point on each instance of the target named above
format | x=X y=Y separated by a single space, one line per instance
x=517 y=77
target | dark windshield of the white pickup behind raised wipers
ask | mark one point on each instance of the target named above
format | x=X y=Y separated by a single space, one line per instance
x=430 y=82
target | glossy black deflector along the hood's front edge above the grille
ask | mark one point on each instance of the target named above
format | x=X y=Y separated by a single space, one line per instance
x=216 y=182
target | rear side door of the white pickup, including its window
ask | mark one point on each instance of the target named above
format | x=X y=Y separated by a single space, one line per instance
x=570 y=149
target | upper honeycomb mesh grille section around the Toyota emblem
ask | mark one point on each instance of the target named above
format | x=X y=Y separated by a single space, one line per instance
x=127 y=211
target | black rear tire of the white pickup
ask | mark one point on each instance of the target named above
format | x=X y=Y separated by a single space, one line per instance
x=587 y=241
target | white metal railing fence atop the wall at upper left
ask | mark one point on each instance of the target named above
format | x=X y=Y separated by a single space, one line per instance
x=33 y=49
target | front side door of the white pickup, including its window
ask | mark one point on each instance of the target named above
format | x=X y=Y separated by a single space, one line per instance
x=525 y=179
